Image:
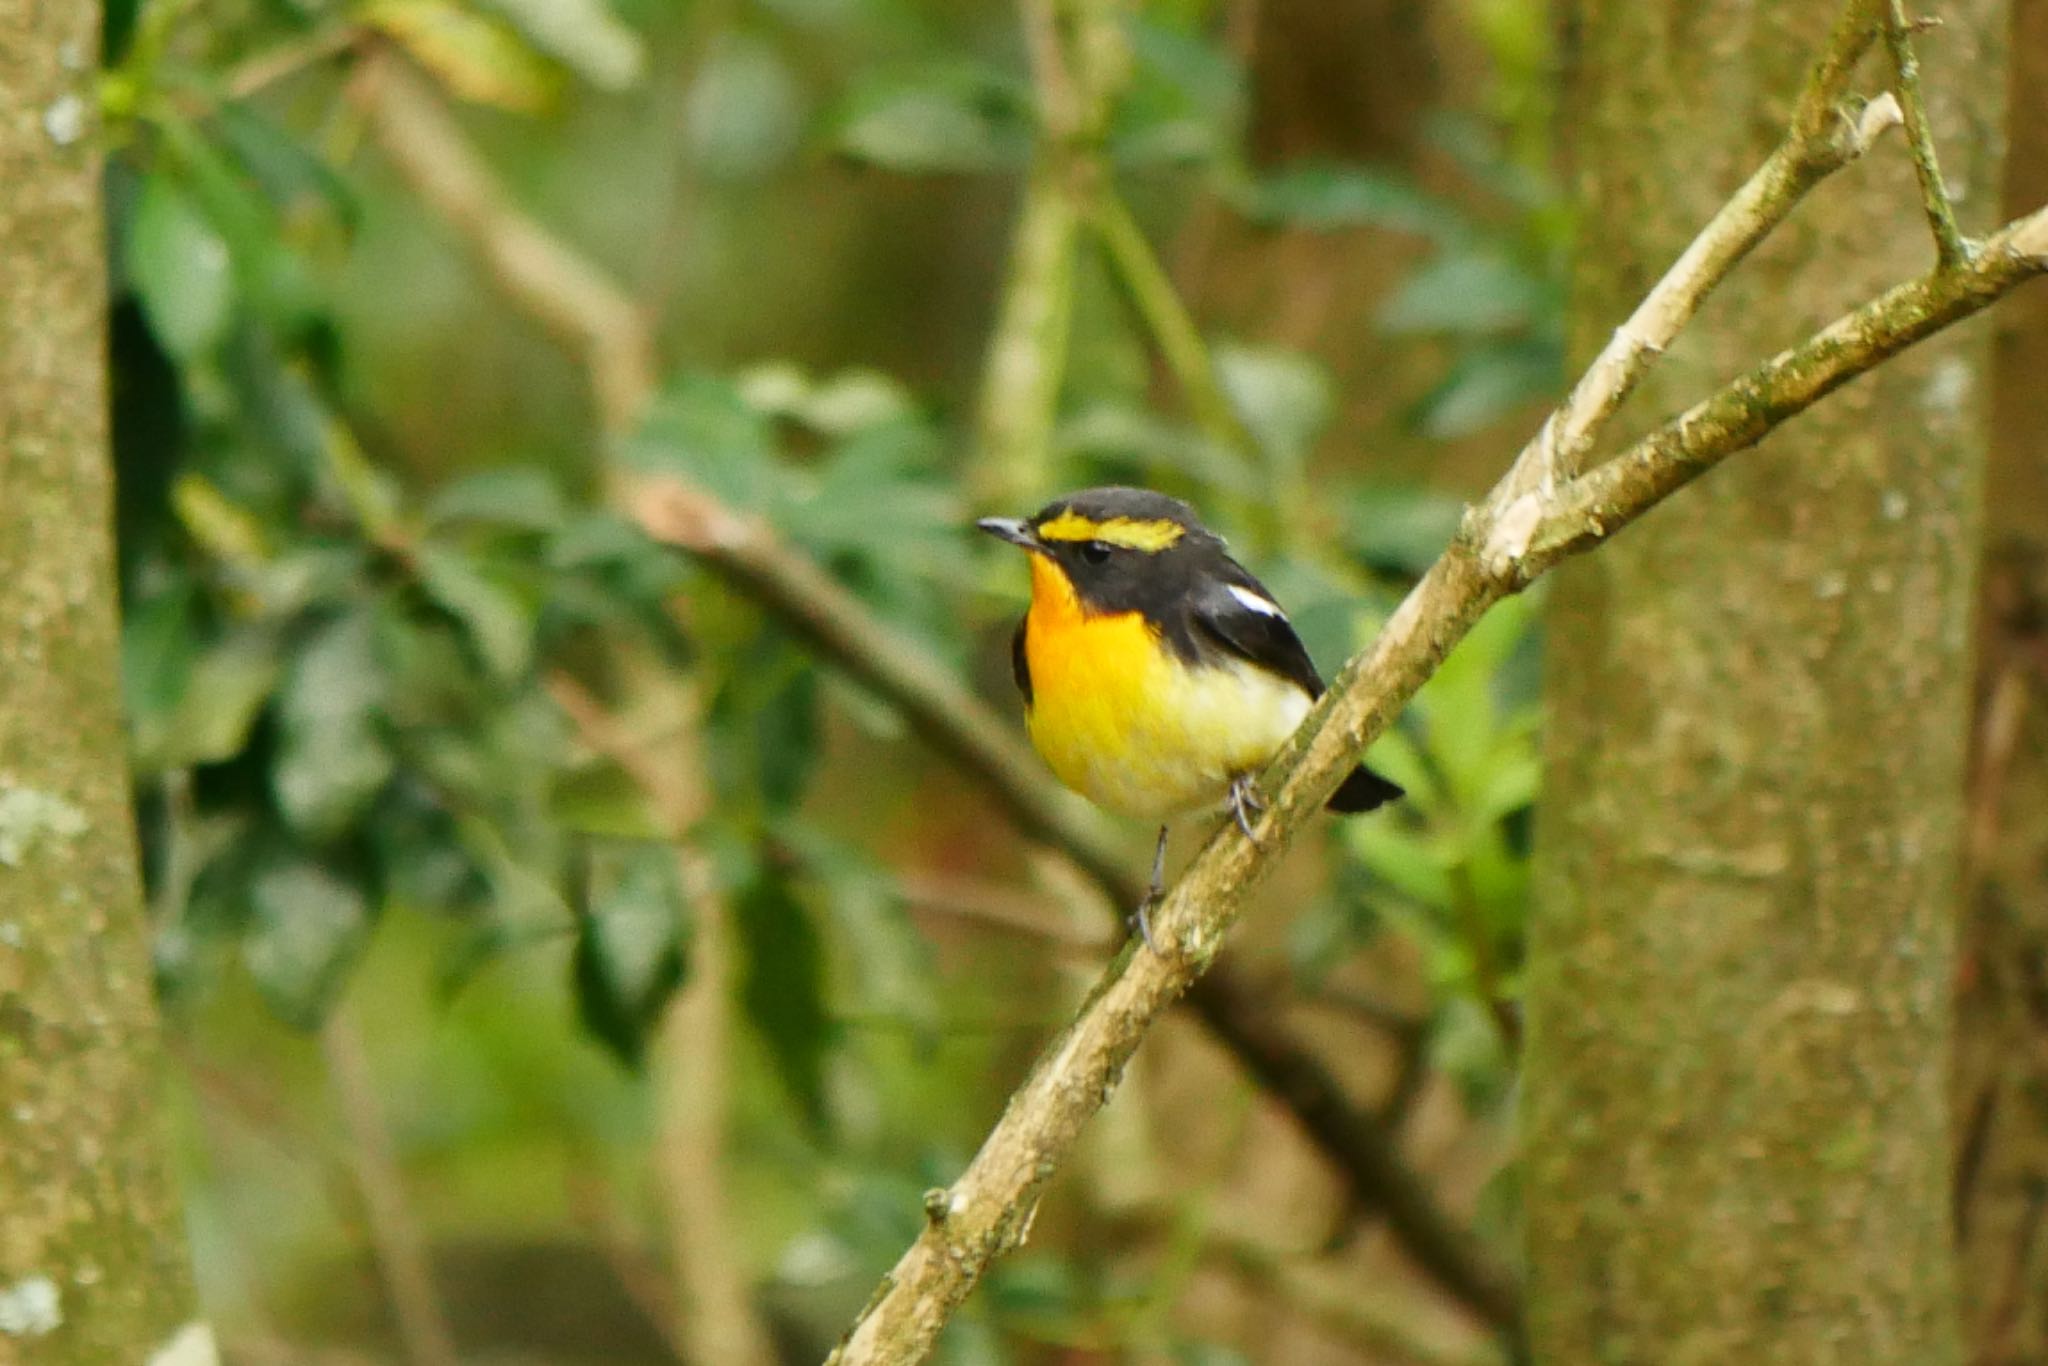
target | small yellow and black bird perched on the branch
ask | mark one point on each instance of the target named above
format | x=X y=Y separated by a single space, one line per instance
x=1158 y=675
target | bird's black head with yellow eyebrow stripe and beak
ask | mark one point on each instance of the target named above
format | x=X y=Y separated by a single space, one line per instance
x=1121 y=550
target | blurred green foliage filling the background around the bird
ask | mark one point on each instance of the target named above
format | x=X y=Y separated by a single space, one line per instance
x=341 y=644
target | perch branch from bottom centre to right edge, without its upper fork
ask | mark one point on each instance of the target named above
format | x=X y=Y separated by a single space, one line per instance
x=990 y=1209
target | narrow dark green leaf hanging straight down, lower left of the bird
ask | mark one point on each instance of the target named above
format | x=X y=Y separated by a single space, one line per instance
x=783 y=988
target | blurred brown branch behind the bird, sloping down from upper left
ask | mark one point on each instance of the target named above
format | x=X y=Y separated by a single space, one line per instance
x=599 y=323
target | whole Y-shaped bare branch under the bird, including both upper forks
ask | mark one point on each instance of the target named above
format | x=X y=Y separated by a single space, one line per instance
x=1539 y=515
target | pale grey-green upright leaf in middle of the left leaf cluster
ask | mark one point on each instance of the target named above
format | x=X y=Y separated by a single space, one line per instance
x=333 y=759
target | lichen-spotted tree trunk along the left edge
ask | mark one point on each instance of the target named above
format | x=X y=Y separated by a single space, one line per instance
x=91 y=1242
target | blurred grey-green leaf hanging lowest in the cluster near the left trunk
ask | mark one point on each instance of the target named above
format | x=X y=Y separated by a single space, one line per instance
x=304 y=935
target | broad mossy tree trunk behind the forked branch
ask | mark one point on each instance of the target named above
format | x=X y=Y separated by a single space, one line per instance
x=1736 y=1119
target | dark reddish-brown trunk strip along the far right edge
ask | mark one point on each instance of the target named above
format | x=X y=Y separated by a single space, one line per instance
x=2002 y=984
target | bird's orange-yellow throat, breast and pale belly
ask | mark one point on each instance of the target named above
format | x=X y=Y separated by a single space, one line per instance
x=1127 y=724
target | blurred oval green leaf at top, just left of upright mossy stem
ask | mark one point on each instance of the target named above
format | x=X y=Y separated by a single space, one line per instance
x=955 y=118
